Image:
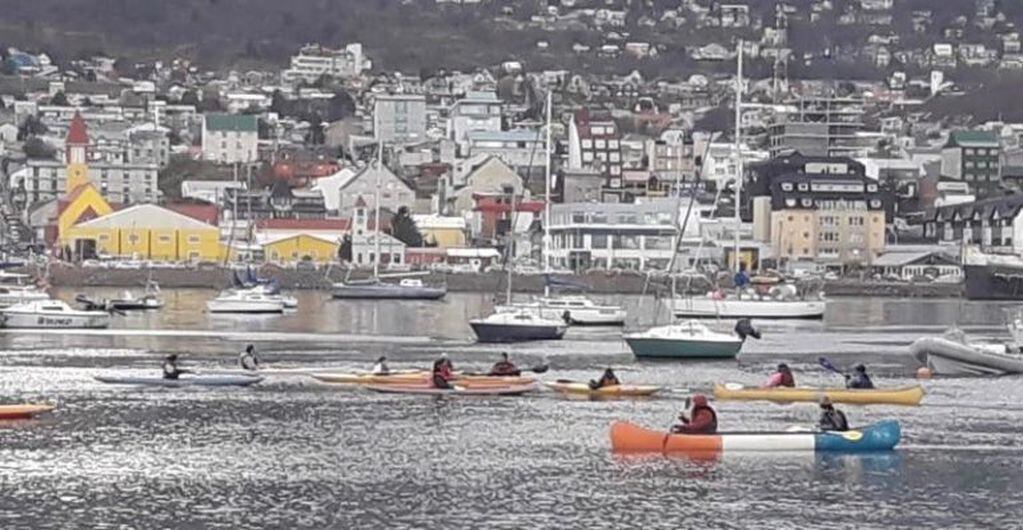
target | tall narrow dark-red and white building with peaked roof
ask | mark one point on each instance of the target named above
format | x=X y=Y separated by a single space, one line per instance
x=595 y=143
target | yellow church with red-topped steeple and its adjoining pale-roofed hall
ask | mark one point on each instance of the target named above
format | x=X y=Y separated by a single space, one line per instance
x=87 y=226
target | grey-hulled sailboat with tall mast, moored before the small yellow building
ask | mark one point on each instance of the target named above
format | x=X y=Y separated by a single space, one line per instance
x=375 y=288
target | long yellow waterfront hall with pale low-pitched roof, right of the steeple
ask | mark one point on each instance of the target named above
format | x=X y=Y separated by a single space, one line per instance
x=147 y=233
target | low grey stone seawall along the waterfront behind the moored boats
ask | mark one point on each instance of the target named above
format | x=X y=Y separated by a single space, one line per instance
x=600 y=283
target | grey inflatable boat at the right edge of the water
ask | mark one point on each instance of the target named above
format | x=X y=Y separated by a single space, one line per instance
x=952 y=359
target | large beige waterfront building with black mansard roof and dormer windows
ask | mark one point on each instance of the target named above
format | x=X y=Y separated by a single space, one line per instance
x=833 y=218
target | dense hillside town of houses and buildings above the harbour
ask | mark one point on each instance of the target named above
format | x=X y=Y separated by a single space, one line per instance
x=335 y=160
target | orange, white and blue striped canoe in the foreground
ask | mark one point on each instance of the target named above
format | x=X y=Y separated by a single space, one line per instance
x=629 y=438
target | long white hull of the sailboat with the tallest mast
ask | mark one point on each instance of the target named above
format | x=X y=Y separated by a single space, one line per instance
x=767 y=310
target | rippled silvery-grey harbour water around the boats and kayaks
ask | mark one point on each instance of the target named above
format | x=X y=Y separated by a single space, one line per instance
x=293 y=454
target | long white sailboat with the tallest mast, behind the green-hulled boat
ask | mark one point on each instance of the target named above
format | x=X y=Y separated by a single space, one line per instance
x=776 y=302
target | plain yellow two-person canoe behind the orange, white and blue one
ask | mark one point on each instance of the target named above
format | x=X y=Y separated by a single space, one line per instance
x=909 y=396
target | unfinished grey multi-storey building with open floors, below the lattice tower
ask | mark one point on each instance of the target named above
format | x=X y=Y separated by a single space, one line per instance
x=820 y=127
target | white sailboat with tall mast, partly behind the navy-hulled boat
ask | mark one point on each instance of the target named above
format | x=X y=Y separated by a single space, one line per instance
x=574 y=310
